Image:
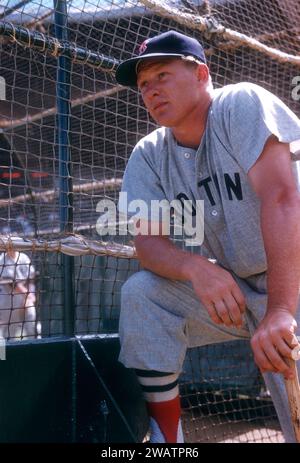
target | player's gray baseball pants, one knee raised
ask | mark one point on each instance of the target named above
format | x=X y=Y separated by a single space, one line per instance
x=161 y=318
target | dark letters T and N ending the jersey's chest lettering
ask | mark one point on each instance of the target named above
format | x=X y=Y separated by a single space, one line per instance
x=233 y=187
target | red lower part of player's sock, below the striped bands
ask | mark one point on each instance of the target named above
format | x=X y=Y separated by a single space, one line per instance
x=167 y=415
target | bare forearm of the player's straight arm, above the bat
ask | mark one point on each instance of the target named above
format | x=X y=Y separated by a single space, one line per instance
x=281 y=232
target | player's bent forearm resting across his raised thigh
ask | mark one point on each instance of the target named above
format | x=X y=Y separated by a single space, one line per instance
x=161 y=256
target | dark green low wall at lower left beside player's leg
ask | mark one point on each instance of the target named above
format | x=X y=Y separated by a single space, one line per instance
x=49 y=392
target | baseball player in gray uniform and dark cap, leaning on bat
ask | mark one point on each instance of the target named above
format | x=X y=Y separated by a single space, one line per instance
x=230 y=148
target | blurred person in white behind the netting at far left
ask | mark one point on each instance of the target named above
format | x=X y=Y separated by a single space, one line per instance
x=17 y=297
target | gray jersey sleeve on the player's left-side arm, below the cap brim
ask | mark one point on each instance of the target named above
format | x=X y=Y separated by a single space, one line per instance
x=141 y=186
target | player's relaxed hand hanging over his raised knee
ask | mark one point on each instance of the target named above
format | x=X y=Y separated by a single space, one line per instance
x=219 y=293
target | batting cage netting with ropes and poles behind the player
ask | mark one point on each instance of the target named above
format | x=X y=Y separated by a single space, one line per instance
x=66 y=132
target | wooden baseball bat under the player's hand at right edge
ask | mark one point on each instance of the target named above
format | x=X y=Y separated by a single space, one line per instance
x=293 y=392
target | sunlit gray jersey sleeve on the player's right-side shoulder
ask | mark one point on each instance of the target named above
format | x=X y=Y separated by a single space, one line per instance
x=252 y=115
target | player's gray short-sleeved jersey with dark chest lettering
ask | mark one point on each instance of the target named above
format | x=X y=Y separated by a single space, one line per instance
x=240 y=120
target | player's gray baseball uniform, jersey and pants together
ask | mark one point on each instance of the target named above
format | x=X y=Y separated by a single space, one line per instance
x=240 y=120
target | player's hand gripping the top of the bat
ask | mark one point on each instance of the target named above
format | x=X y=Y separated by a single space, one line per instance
x=273 y=341
